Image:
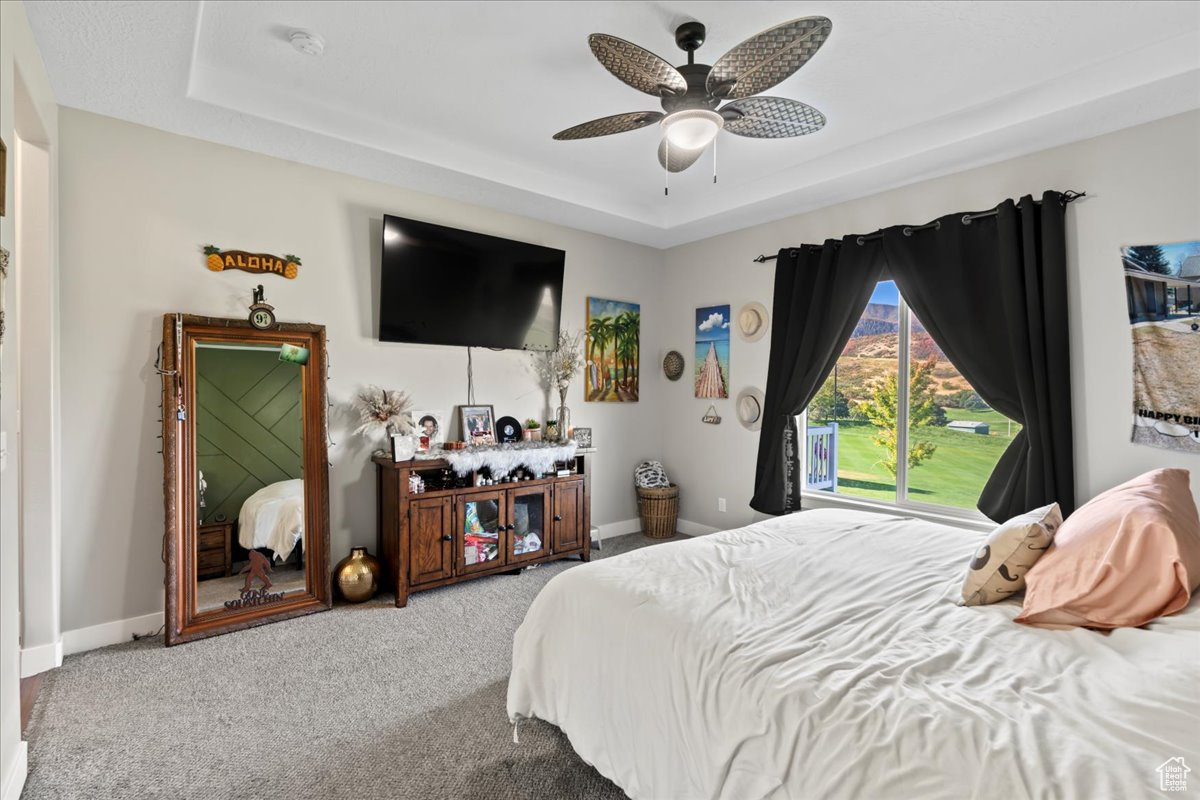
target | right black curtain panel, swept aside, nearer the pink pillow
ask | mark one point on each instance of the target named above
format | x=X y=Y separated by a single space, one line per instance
x=993 y=296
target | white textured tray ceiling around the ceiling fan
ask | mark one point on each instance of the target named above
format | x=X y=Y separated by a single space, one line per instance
x=461 y=99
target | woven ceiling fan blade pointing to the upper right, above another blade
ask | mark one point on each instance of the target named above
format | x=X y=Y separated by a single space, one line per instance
x=763 y=62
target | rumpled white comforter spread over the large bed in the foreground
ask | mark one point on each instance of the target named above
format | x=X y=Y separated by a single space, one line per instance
x=824 y=655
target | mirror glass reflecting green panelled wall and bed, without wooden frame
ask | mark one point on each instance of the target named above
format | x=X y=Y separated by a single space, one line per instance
x=250 y=543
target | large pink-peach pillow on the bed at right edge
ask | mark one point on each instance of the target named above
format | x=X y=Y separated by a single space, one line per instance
x=1127 y=557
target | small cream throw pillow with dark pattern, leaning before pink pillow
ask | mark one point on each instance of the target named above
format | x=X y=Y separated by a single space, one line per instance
x=998 y=570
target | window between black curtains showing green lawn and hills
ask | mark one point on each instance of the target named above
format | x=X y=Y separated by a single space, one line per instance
x=863 y=416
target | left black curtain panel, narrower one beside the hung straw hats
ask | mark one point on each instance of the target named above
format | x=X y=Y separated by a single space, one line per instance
x=820 y=294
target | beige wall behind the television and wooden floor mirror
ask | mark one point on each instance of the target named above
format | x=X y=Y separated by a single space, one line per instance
x=137 y=207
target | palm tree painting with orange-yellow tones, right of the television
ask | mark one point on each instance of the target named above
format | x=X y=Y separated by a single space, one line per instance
x=614 y=347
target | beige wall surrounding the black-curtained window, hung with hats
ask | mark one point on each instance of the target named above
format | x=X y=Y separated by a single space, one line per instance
x=1143 y=187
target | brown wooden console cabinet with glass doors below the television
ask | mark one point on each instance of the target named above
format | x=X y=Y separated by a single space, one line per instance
x=447 y=536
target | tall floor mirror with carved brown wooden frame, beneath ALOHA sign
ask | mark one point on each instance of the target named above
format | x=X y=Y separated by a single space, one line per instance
x=245 y=474
